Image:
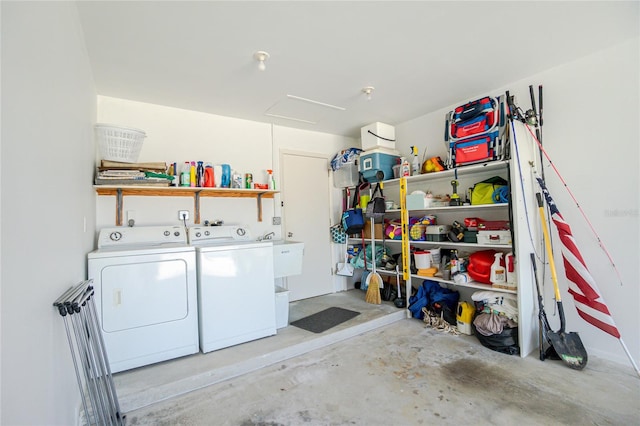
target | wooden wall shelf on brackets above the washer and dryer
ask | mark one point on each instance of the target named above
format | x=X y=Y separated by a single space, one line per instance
x=120 y=191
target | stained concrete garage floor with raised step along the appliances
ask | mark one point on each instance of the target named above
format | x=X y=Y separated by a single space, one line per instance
x=379 y=368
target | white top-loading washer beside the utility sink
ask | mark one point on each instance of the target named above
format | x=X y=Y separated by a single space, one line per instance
x=236 y=294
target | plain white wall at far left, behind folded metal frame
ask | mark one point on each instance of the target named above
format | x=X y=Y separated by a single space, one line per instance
x=48 y=107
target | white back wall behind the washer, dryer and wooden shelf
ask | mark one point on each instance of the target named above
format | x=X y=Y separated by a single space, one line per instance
x=177 y=135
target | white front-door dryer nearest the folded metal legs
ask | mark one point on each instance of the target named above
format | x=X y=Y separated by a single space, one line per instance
x=146 y=294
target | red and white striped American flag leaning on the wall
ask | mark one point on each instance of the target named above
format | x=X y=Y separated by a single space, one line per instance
x=582 y=286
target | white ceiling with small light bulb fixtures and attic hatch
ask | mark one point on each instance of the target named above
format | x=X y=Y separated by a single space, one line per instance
x=420 y=56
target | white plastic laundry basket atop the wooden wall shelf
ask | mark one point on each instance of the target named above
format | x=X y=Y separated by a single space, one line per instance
x=119 y=143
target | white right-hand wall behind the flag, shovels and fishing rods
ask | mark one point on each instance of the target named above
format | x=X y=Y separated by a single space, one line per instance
x=591 y=110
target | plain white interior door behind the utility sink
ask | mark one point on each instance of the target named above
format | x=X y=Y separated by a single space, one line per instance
x=306 y=213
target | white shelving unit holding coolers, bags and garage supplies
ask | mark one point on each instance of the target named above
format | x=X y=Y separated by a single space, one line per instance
x=440 y=183
